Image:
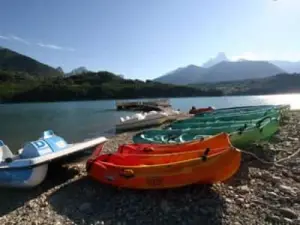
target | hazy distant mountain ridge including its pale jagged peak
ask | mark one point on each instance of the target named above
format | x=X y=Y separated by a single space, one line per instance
x=220 y=69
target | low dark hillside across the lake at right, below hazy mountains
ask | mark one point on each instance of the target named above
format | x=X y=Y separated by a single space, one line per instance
x=278 y=84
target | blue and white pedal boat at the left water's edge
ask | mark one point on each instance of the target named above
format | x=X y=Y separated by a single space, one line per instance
x=29 y=167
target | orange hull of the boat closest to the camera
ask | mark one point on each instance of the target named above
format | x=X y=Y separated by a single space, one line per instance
x=136 y=175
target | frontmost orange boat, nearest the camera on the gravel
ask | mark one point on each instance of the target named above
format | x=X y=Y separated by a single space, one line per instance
x=140 y=171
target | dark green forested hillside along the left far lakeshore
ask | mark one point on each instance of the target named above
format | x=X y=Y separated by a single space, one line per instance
x=90 y=86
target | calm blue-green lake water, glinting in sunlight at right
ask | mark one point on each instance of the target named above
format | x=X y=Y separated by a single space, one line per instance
x=76 y=121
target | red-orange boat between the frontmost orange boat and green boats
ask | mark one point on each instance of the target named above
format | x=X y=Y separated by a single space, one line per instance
x=214 y=142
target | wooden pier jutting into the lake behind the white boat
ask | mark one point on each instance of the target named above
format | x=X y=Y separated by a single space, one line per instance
x=145 y=105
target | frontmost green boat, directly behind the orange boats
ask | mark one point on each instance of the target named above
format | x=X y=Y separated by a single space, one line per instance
x=240 y=135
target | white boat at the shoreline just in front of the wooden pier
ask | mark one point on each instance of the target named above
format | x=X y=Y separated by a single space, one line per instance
x=143 y=120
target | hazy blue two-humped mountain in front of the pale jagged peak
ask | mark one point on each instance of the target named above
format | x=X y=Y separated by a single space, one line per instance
x=222 y=71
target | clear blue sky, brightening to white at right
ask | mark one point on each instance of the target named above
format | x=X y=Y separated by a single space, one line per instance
x=144 y=39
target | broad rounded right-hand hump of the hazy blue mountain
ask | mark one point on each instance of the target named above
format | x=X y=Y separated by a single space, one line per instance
x=240 y=70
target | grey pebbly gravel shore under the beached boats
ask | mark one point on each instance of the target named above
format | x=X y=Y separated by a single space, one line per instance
x=259 y=193
